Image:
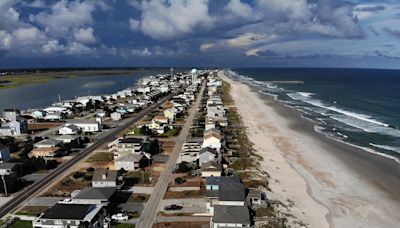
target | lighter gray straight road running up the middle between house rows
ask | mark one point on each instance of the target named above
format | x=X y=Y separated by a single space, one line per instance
x=150 y=211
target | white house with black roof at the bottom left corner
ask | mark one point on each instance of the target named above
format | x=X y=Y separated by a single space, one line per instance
x=71 y=215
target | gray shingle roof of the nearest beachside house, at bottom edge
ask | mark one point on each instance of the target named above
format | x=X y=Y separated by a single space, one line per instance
x=231 y=214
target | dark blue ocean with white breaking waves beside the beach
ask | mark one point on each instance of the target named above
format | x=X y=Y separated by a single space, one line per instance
x=356 y=106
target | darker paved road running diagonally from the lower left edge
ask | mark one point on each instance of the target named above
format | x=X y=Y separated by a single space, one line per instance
x=36 y=187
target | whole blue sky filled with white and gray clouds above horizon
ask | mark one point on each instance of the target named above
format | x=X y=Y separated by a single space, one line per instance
x=203 y=33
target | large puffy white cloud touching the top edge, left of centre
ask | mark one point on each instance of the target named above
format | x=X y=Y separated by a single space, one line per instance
x=172 y=19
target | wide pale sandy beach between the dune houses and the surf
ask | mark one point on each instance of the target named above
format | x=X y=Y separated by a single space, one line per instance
x=331 y=184
